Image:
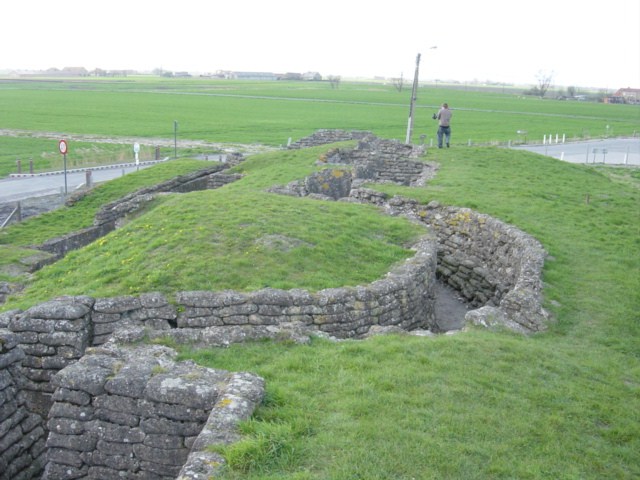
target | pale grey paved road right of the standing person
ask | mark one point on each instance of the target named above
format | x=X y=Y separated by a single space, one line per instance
x=618 y=151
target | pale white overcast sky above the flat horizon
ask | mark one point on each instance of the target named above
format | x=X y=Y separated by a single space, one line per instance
x=583 y=44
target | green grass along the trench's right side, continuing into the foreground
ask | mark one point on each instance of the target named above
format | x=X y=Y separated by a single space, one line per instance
x=563 y=404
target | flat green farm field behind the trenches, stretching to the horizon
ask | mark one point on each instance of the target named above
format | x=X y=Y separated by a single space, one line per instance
x=270 y=113
